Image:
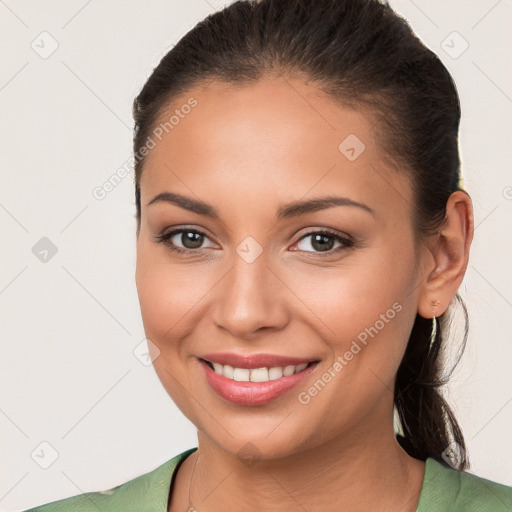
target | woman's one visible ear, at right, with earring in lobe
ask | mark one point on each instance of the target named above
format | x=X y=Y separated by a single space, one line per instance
x=448 y=256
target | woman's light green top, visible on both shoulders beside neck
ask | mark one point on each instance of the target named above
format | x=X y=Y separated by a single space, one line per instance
x=444 y=490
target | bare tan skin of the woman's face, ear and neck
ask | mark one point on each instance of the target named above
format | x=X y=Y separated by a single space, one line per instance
x=247 y=150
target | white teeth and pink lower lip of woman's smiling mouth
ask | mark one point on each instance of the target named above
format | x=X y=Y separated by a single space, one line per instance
x=254 y=386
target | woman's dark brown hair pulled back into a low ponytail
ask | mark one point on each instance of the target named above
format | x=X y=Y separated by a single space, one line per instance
x=361 y=53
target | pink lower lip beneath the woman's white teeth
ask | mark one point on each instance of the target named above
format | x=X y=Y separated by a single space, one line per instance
x=254 y=393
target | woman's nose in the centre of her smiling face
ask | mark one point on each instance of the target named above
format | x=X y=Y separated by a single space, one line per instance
x=251 y=298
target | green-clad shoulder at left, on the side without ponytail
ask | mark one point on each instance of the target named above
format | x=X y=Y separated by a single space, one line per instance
x=147 y=492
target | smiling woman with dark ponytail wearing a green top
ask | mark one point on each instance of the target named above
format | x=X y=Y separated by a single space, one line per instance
x=302 y=232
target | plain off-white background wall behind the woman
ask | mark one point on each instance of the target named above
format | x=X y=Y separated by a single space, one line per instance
x=69 y=326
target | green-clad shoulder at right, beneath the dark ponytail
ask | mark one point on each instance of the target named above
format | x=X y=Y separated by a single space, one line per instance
x=450 y=490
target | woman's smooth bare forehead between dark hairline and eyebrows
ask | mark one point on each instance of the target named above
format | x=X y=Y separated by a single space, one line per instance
x=273 y=141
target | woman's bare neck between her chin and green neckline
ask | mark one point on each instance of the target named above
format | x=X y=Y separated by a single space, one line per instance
x=359 y=473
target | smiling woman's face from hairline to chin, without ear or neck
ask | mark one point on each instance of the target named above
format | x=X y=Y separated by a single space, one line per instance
x=335 y=283
